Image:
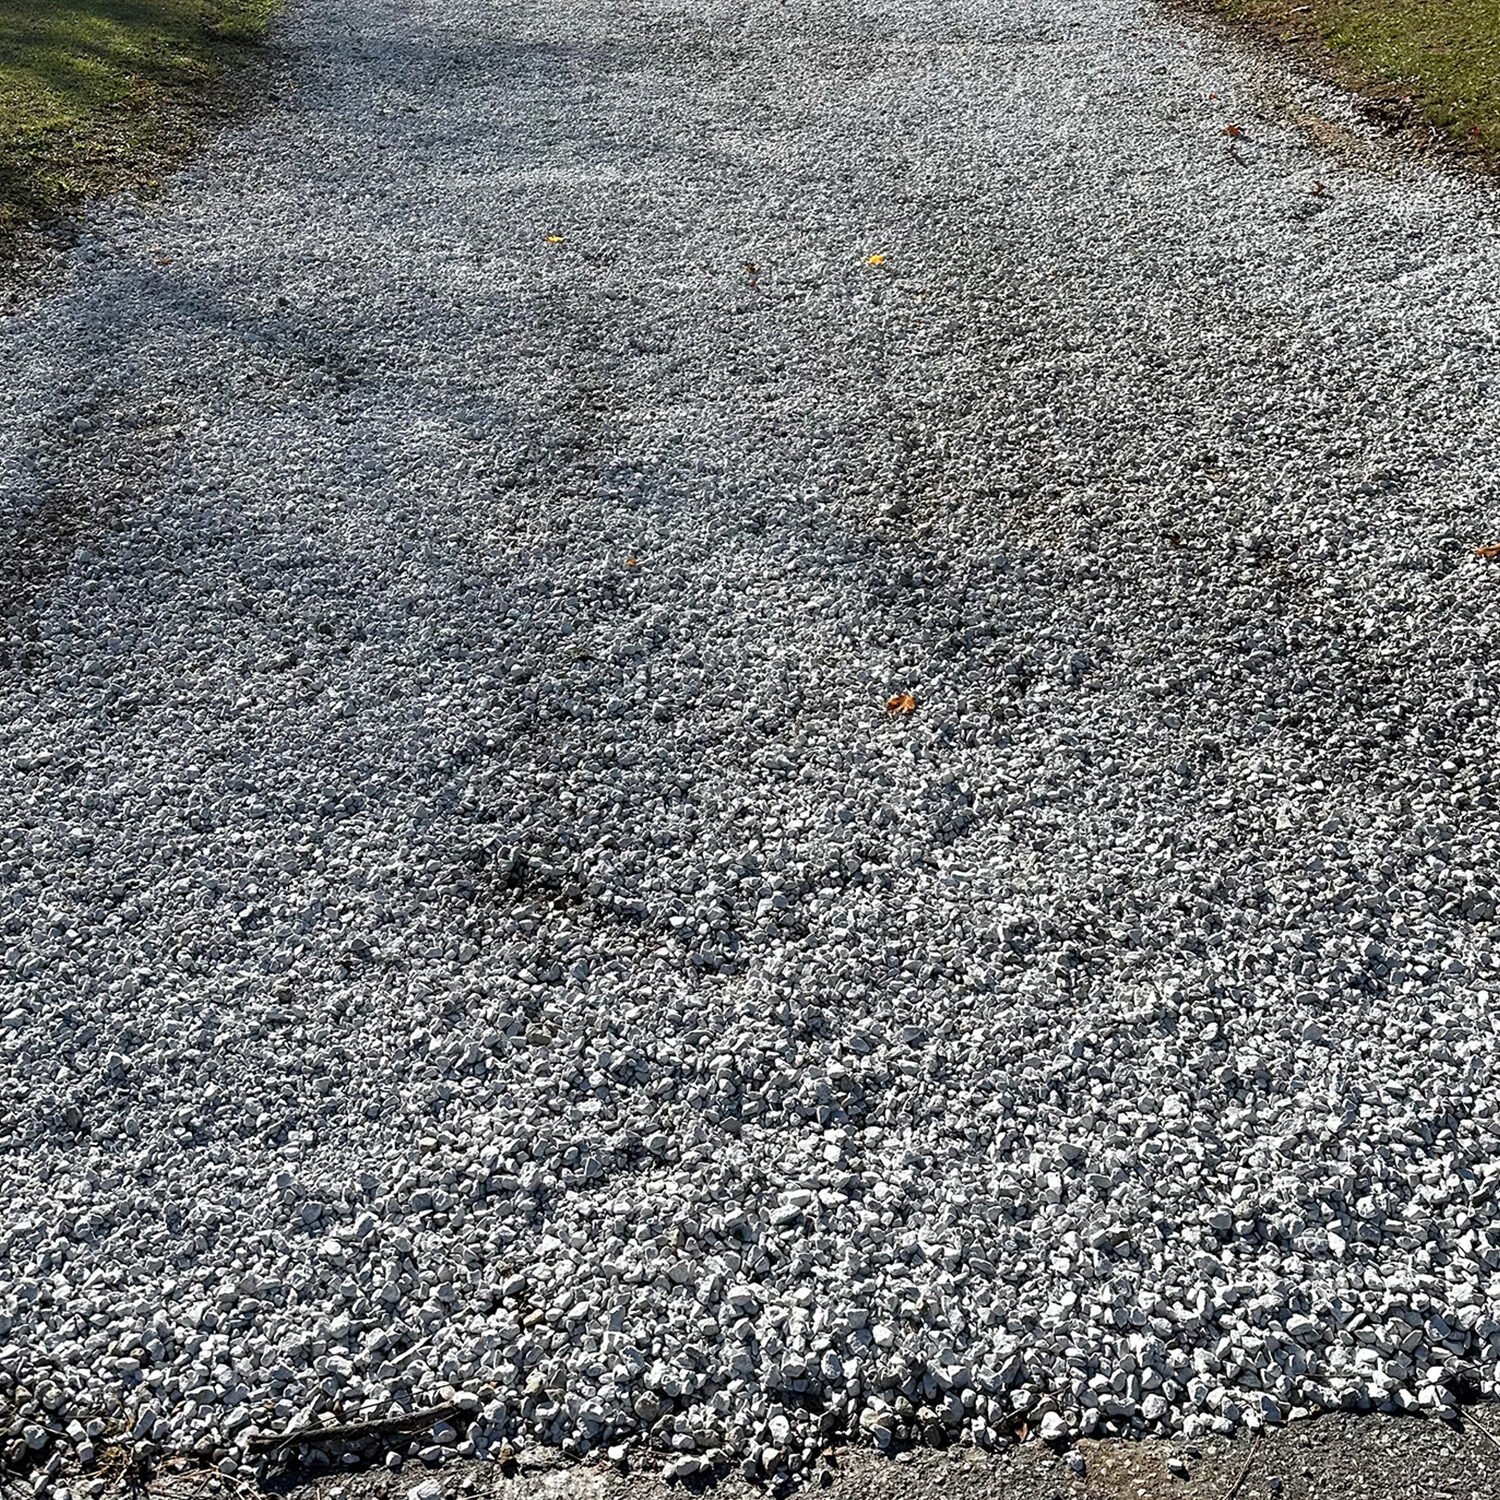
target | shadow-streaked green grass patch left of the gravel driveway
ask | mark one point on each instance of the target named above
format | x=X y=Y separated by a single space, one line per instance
x=101 y=94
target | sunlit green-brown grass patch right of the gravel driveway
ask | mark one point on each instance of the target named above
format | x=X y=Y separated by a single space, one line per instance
x=1420 y=62
